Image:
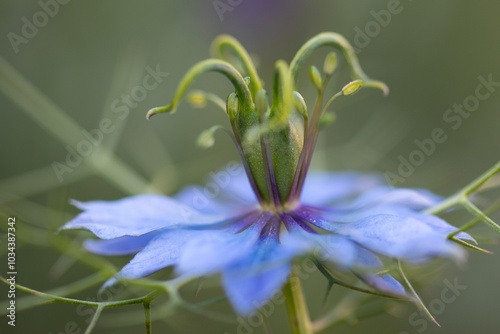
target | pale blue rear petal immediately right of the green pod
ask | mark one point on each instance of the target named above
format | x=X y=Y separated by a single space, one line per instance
x=322 y=188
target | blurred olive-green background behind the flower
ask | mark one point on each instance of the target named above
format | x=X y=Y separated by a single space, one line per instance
x=65 y=77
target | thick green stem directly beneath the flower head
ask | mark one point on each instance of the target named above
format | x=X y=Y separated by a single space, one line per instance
x=300 y=322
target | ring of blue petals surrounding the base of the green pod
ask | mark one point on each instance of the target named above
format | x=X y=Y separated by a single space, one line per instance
x=248 y=244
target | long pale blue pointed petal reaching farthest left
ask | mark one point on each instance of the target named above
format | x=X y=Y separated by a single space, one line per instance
x=134 y=216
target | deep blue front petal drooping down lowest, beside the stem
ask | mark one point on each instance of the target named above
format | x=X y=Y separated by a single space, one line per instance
x=251 y=282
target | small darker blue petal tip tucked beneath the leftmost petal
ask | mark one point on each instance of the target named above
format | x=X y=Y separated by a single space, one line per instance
x=118 y=246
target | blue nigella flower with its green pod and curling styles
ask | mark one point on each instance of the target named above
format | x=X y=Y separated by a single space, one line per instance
x=271 y=210
